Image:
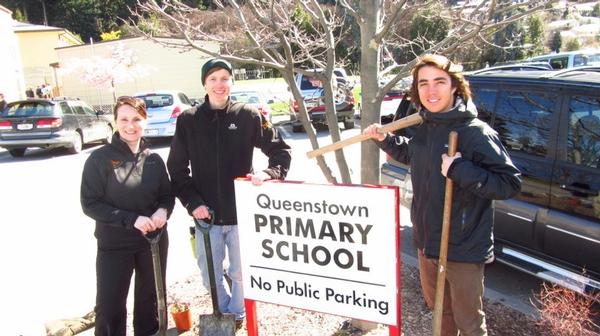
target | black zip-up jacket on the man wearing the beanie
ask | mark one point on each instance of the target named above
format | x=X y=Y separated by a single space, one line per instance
x=218 y=145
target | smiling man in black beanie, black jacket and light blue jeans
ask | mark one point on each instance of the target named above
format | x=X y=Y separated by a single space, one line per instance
x=212 y=146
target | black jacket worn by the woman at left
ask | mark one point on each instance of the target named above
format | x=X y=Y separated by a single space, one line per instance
x=118 y=186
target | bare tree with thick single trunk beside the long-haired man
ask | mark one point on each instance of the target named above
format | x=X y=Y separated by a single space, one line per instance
x=377 y=33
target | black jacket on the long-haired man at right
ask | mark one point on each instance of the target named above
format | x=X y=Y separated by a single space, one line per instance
x=484 y=172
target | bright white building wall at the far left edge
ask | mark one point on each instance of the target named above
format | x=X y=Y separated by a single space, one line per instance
x=11 y=72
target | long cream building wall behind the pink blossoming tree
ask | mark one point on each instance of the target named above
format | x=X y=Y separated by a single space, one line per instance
x=168 y=69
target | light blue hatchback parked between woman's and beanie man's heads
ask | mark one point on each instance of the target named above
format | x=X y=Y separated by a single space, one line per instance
x=163 y=109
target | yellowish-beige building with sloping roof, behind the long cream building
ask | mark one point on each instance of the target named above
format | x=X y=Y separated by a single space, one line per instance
x=38 y=45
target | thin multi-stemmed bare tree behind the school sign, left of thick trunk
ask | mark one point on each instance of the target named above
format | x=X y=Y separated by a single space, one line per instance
x=273 y=38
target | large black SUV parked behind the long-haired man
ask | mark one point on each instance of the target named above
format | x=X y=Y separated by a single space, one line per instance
x=549 y=121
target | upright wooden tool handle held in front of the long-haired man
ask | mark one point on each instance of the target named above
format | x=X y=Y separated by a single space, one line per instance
x=441 y=275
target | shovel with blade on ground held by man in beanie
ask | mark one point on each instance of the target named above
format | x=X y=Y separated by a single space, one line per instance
x=217 y=323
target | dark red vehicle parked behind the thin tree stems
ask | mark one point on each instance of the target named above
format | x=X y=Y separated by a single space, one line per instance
x=313 y=95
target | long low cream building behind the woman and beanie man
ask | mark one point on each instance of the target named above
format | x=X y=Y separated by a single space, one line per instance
x=99 y=72
